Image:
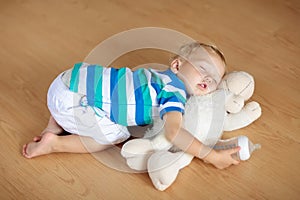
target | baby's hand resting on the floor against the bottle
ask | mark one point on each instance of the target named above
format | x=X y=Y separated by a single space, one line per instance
x=222 y=159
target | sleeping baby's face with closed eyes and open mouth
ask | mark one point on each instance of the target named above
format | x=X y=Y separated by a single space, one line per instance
x=201 y=76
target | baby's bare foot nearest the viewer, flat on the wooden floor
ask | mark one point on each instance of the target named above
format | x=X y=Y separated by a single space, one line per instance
x=40 y=147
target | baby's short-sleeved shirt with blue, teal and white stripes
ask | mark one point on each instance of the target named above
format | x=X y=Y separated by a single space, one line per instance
x=129 y=97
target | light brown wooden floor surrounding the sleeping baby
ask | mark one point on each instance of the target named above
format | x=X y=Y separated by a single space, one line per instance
x=39 y=39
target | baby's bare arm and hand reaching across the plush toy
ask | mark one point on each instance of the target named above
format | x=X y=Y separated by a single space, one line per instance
x=189 y=144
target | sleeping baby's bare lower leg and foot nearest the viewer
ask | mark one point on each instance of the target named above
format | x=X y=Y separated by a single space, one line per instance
x=52 y=143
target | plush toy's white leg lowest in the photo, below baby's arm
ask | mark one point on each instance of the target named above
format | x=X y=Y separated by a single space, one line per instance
x=164 y=166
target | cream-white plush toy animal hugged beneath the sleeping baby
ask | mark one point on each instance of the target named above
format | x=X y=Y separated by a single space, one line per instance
x=206 y=117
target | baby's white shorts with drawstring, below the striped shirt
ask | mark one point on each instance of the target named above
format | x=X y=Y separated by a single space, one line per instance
x=66 y=108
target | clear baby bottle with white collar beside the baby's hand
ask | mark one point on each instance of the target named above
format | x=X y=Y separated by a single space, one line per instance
x=247 y=147
